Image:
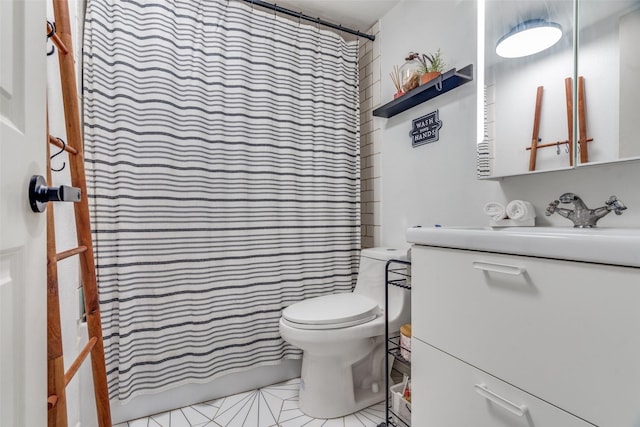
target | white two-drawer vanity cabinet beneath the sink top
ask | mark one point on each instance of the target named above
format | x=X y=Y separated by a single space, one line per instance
x=510 y=340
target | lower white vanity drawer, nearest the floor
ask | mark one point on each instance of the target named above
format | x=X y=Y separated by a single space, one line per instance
x=454 y=394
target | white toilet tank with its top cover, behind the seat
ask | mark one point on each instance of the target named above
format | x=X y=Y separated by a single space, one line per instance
x=371 y=273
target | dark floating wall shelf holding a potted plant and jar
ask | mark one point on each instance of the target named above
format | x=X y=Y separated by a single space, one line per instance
x=436 y=87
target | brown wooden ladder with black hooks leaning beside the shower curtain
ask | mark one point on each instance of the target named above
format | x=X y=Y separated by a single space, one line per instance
x=57 y=379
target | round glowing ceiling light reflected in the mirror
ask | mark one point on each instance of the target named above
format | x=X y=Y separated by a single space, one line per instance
x=529 y=37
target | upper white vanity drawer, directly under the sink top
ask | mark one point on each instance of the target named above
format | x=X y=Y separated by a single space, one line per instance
x=567 y=332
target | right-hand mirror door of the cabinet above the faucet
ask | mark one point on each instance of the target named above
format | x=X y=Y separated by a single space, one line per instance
x=609 y=61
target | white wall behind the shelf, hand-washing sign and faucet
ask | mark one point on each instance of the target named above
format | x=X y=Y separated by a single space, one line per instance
x=436 y=183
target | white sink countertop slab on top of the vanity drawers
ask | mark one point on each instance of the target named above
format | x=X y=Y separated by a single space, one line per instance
x=617 y=246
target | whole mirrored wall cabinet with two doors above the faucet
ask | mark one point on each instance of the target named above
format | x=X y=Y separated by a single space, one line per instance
x=541 y=108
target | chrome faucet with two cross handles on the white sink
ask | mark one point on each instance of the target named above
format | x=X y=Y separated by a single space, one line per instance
x=581 y=215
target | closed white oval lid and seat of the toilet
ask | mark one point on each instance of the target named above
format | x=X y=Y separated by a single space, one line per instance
x=331 y=311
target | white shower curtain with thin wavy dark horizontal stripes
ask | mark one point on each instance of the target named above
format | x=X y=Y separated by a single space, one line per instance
x=222 y=153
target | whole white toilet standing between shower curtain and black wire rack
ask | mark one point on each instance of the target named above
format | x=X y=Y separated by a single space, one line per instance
x=342 y=336
